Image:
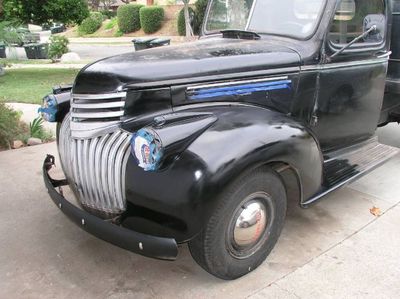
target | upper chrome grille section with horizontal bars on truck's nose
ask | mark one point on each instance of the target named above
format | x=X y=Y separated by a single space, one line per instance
x=90 y=114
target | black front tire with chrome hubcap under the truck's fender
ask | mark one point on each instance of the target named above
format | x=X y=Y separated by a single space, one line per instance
x=244 y=227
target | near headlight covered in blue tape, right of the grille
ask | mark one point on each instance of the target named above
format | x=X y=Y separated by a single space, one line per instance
x=147 y=148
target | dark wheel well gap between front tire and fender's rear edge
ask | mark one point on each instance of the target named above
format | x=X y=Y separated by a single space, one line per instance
x=291 y=180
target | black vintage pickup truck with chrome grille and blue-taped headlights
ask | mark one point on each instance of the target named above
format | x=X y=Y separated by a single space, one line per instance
x=201 y=143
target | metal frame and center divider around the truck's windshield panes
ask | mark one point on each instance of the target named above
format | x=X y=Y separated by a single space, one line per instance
x=214 y=32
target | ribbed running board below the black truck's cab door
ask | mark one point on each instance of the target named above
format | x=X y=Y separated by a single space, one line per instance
x=346 y=165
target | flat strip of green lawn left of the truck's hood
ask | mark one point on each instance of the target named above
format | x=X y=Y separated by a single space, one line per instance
x=30 y=85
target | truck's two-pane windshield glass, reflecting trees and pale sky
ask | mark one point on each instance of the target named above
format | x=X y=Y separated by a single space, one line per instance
x=295 y=18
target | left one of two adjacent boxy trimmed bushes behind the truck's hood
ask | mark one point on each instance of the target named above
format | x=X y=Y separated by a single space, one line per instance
x=129 y=17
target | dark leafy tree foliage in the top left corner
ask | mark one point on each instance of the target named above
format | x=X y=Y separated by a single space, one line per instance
x=45 y=11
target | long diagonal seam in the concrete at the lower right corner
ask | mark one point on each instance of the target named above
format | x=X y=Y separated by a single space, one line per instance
x=323 y=252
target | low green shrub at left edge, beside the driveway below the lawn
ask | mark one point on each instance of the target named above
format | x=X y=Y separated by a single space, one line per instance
x=10 y=126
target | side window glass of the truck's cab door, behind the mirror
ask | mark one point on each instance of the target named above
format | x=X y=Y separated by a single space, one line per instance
x=353 y=17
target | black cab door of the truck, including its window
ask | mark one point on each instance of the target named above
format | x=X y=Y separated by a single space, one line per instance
x=351 y=84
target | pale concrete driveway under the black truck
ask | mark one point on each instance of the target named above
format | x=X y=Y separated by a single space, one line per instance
x=335 y=249
